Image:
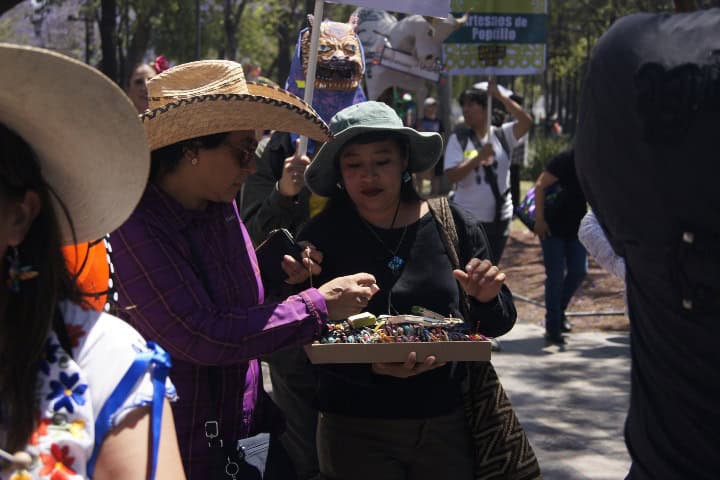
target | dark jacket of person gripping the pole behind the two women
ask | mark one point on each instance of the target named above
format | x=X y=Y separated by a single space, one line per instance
x=263 y=208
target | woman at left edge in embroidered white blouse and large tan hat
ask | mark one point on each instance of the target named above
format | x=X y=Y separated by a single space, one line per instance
x=58 y=392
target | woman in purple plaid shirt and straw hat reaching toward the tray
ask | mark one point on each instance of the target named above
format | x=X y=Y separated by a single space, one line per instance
x=187 y=272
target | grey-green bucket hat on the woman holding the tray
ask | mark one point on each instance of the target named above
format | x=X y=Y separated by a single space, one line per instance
x=322 y=175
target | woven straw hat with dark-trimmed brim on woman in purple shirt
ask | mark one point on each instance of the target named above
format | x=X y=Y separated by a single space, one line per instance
x=211 y=96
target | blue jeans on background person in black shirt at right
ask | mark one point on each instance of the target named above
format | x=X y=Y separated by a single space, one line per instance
x=559 y=254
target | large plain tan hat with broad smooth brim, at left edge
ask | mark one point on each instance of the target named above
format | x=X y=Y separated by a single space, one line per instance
x=85 y=132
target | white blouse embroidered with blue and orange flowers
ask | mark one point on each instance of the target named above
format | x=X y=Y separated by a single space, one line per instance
x=73 y=388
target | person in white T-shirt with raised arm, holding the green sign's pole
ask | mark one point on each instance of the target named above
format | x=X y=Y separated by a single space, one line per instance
x=478 y=159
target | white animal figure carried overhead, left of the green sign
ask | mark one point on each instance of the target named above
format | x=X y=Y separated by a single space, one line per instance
x=415 y=43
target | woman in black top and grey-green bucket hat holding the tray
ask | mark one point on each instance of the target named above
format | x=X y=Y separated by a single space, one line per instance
x=403 y=421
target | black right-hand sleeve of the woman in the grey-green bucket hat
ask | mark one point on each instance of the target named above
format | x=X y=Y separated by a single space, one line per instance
x=496 y=317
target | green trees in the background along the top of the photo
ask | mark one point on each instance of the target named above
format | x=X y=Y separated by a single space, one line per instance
x=265 y=32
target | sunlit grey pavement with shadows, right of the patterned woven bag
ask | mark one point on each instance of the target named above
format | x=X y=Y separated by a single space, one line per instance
x=572 y=401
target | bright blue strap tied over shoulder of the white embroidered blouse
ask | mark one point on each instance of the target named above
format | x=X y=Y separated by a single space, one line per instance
x=158 y=362
